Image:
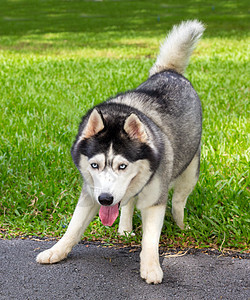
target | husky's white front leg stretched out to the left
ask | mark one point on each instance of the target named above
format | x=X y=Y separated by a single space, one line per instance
x=84 y=212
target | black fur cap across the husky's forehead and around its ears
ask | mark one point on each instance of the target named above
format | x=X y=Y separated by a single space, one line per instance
x=114 y=116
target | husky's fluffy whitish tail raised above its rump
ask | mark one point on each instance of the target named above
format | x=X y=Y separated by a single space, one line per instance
x=178 y=46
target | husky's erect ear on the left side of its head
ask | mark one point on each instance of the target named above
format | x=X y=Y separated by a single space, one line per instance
x=94 y=125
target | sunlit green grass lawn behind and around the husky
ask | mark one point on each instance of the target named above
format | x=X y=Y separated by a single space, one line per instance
x=59 y=58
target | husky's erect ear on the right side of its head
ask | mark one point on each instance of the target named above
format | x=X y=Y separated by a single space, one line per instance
x=135 y=128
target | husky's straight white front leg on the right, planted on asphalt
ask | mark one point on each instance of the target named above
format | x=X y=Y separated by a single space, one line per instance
x=152 y=221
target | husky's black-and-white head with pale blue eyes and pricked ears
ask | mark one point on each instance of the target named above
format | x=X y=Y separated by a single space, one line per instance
x=115 y=154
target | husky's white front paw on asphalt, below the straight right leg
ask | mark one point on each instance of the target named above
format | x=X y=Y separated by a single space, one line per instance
x=152 y=273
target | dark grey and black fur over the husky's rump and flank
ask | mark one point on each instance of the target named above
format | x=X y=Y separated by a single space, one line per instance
x=179 y=105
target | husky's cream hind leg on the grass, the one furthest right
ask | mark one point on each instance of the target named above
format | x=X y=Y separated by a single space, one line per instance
x=183 y=186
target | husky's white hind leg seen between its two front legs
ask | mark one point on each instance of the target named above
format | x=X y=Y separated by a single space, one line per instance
x=126 y=218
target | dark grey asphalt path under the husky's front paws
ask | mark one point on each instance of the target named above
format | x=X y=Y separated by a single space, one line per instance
x=94 y=272
